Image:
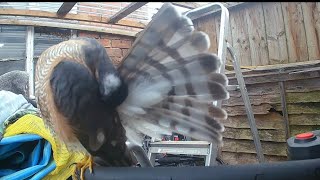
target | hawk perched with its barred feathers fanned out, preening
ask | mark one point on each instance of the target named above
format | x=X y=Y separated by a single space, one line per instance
x=167 y=83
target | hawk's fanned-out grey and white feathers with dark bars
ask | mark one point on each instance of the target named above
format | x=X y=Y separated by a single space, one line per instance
x=173 y=81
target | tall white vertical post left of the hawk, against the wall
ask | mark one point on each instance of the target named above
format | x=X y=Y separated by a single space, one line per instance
x=29 y=59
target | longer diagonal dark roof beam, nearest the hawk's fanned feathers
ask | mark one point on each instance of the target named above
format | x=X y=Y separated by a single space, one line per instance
x=126 y=11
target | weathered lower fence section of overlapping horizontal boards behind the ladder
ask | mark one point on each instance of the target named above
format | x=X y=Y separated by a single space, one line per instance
x=302 y=97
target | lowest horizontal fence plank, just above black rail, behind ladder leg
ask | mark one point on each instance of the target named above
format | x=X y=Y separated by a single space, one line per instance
x=245 y=158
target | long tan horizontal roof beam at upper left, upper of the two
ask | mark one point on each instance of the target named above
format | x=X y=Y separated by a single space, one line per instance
x=77 y=17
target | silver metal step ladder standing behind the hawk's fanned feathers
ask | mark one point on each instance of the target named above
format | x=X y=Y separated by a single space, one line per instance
x=203 y=148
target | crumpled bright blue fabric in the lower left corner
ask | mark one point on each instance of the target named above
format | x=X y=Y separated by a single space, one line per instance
x=25 y=156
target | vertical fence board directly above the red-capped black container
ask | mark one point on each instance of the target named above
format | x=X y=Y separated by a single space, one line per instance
x=295 y=31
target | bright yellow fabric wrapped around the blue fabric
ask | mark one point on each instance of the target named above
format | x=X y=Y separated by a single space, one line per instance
x=63 y=158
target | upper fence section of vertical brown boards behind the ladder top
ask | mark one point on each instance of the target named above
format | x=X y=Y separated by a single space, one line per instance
x=265 y=33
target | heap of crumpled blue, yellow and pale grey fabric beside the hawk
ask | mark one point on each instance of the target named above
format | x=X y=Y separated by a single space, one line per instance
x=28 y=149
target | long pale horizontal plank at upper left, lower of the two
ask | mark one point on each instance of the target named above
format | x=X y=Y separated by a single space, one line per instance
x=67 y=26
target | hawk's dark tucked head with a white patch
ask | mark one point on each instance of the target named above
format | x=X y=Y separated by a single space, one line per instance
x=113 y=89
